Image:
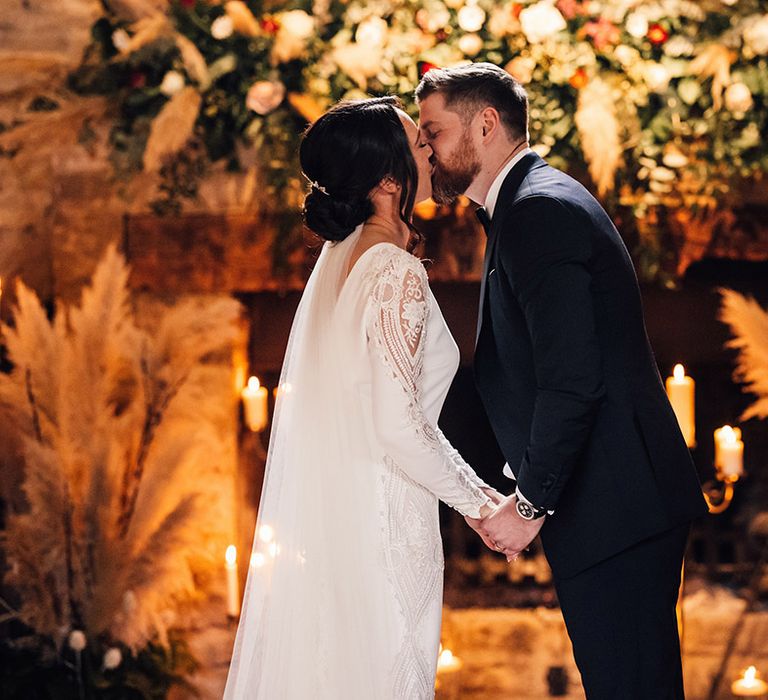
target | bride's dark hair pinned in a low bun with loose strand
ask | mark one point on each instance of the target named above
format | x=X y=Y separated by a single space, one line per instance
x=345 y=154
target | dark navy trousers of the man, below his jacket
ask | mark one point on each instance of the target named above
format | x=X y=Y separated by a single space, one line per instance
x=621 y=618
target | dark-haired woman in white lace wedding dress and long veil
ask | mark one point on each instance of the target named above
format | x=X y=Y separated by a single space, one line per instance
x=344 y=593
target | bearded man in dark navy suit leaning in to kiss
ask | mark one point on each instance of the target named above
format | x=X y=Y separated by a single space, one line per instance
x=571 y=388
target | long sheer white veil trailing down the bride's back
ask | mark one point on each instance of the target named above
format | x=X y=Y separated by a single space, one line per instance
x=315 y=583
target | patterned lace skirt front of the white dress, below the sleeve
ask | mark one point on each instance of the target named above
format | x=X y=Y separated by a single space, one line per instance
x=413 y=560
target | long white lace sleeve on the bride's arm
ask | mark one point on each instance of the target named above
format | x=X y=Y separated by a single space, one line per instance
x=396 y=324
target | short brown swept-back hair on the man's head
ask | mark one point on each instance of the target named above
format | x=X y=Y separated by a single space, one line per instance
x=468 y=89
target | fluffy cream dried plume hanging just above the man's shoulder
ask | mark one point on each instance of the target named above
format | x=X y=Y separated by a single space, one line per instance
x=599 y=133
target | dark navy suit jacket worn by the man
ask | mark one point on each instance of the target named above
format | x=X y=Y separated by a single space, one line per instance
x=567 y=375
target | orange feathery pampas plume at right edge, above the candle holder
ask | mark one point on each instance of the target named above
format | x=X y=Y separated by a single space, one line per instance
x=749 y=325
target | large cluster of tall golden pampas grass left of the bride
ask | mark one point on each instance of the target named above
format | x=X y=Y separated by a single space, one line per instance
x=121 y=460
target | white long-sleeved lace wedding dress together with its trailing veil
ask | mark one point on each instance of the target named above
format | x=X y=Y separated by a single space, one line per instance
x=371 y=627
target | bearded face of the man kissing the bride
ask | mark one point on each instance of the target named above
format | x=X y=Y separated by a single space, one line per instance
x=454 y=160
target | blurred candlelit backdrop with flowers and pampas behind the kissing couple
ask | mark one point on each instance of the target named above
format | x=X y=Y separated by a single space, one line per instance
x=152 y=257
